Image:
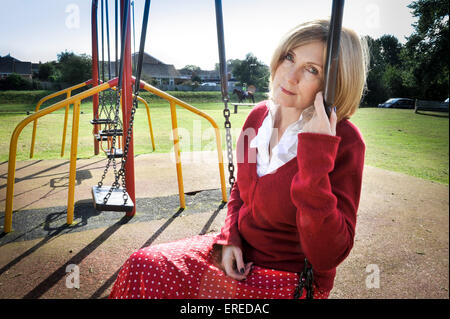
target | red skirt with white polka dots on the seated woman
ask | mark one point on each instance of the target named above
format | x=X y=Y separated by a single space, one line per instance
x=184 y=269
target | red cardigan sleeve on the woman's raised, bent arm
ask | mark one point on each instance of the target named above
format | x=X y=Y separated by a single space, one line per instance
x=326 y=191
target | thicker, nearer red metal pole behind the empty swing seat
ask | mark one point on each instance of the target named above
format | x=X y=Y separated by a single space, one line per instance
x=127 y=103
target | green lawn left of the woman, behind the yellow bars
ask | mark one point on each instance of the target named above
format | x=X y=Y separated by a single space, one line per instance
x=195 y=132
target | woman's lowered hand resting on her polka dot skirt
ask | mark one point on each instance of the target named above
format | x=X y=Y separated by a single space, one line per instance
x=233 y=263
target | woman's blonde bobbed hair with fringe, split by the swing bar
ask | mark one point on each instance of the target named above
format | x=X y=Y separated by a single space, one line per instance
x=352 y=68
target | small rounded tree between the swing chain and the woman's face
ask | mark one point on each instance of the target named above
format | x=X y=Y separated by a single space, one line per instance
x=252 y=72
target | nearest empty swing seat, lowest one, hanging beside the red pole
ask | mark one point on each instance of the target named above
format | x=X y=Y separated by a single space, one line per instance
x=115 y=202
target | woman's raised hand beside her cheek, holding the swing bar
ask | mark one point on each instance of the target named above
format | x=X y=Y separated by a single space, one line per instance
x=319 y=123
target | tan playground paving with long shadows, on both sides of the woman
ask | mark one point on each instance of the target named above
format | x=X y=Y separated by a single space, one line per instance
x=400 y=250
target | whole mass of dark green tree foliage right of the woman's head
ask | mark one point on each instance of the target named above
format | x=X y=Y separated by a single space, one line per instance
x=417 y=69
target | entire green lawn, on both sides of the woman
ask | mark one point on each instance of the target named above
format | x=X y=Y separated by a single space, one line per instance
x=396 y=140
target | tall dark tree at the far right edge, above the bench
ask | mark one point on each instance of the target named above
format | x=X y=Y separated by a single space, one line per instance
x=428 y=50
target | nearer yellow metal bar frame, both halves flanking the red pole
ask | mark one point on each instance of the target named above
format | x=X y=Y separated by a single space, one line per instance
x=76 y=101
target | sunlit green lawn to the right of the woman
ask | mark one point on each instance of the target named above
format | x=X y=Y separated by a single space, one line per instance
x=401 y=141
